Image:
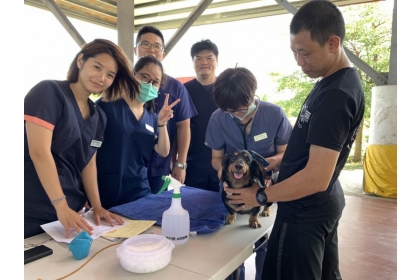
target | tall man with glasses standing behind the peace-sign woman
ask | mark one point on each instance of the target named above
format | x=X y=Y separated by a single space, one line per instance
x=150 y=42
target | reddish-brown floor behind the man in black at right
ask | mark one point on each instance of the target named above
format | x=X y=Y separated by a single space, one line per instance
x=367 y=234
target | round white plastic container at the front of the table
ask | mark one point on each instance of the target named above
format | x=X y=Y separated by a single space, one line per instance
x=145 y=253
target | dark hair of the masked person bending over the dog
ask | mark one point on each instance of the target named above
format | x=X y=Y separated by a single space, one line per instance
x=234 y=87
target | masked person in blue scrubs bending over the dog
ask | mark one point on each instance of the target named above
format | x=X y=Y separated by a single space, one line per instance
x=243 y=122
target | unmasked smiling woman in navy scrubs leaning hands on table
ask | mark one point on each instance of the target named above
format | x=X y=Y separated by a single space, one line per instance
x=63 y=131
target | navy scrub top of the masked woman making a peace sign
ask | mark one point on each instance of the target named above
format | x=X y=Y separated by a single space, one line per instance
x=123 y=158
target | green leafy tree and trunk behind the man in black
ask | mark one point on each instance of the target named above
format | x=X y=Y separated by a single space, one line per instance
x=368 y=36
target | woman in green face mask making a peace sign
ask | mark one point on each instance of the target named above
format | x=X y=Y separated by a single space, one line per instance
x=133 y=131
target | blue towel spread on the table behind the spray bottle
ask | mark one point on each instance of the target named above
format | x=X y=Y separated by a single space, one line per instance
x=206 y=209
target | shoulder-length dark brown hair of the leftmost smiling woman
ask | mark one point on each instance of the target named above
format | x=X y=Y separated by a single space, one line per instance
x=124 y=80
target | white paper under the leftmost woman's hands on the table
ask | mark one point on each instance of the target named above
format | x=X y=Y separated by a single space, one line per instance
x=56 y=229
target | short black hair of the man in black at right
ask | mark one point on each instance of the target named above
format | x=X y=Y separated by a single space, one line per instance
x=321 y=18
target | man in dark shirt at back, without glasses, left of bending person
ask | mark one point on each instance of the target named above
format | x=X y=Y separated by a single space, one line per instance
x=200 y=173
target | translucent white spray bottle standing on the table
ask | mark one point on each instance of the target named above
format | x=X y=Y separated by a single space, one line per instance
x=175 y=220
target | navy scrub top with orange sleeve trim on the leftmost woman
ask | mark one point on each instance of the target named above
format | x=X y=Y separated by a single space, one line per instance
x=74 y=141
